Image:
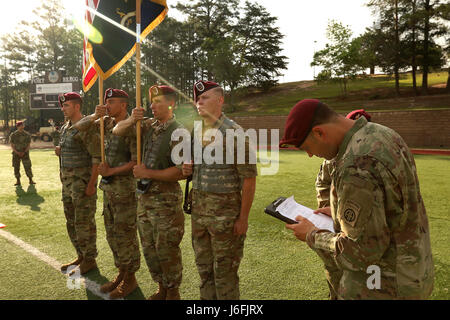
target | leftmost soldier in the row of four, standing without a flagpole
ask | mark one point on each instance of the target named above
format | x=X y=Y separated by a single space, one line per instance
x=79 y=154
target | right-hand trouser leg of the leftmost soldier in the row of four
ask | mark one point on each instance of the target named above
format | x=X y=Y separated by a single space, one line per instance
x=85 y=226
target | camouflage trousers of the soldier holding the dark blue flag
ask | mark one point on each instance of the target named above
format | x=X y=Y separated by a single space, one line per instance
x=161 y=229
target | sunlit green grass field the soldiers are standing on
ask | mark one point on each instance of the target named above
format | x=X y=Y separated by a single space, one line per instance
x=275 y=264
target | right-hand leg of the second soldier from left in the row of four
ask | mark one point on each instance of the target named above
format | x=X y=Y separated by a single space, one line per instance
x=124 y=230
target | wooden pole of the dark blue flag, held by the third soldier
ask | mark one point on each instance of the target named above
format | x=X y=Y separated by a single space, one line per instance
x=138 y=77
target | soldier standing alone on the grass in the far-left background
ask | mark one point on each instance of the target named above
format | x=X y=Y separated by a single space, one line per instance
x=20 y=144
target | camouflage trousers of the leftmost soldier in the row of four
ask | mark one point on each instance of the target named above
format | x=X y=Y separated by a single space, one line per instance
x=79 y=210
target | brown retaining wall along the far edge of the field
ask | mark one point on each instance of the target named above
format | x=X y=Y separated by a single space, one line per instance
x=422 y=129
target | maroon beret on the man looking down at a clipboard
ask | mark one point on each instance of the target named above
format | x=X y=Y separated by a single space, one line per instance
x=299 y=122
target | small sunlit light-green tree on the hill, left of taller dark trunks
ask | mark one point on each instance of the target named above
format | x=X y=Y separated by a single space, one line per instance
x=340 y=56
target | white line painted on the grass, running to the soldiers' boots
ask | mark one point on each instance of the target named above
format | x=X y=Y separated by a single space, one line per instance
x=90 y=285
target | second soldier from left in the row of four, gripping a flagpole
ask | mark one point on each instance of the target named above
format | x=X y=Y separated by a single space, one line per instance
x=118 y=185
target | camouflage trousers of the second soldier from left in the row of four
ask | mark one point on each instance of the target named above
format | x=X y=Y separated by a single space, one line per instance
x=119 y=215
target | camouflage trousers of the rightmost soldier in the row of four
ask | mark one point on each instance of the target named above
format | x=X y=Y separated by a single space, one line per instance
x=218 y=252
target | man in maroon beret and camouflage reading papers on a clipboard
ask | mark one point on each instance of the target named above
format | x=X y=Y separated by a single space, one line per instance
x=379 y=216
